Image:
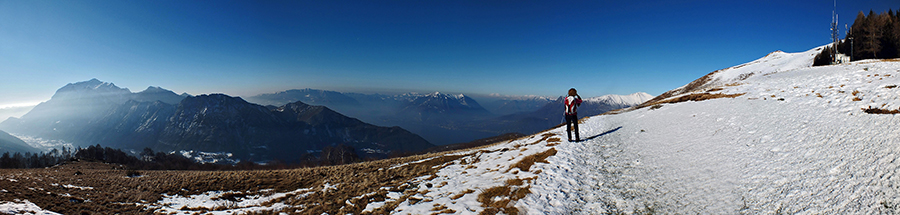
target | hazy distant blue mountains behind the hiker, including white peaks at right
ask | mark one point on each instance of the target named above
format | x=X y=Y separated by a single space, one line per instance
x=451 y=118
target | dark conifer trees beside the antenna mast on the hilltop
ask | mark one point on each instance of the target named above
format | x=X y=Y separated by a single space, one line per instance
x=872 y=36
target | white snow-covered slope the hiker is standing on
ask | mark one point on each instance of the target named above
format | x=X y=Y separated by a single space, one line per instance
x=796 y=141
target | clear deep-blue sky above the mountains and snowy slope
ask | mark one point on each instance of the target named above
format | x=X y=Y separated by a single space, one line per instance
x=244 y=48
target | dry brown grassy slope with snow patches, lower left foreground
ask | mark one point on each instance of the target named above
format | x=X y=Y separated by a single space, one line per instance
x=111 y=189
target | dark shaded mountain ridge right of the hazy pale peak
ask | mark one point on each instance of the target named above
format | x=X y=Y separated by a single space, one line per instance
x=230 y=124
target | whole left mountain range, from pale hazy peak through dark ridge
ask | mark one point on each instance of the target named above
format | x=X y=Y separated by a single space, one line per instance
x=95 y=112
